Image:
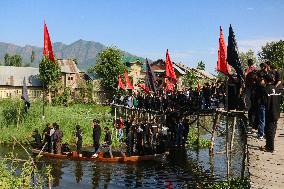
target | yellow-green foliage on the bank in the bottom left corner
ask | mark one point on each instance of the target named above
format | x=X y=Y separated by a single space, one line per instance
x=18 y=173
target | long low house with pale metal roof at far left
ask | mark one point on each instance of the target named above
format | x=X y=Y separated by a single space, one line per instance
x=11 y=81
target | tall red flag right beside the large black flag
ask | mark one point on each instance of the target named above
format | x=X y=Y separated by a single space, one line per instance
x=222 y=65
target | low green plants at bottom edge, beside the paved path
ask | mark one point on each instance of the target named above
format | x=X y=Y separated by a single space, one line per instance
x=234 y=183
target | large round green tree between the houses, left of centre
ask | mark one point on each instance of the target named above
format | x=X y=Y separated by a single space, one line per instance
x=108 y=66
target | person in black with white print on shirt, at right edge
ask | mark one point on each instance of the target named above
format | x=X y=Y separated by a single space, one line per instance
x=272 y=112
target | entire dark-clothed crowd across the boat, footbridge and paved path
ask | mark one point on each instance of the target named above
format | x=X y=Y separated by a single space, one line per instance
x=260 y=94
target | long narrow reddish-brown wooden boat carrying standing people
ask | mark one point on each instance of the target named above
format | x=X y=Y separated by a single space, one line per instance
x=124 y=159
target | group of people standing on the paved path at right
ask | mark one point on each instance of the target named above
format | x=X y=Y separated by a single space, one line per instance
x=263 y=98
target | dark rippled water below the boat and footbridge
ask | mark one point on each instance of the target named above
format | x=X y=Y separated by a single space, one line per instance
x=182 y=169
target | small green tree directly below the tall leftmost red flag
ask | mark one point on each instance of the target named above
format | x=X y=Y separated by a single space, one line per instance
x=49 y=72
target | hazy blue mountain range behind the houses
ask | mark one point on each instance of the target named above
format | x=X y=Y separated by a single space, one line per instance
x=84 y=51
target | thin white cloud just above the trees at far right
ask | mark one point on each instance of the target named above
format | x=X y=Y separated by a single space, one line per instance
x=255 y=44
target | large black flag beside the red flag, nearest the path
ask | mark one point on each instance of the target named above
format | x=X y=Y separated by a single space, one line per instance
x=233 y=55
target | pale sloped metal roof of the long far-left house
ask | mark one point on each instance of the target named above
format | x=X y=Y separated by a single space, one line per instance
x=14 y=76
